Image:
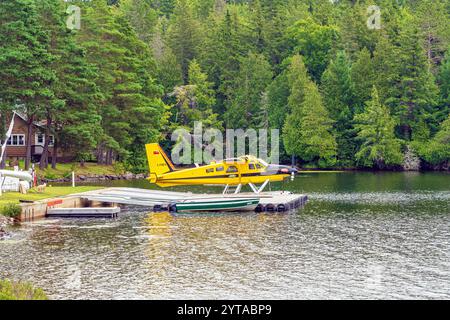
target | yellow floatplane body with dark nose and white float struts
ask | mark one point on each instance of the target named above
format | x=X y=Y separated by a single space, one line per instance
x=235 y=172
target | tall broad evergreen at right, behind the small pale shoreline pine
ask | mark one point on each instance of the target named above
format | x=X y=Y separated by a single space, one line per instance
x=406 y=81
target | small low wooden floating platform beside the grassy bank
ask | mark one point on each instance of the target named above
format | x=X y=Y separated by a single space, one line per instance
x=88 y=212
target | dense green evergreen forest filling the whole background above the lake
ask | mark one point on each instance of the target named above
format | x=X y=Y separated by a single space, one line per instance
x=347 y=88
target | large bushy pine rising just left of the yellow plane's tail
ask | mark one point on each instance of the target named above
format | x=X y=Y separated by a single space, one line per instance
x=132 y=112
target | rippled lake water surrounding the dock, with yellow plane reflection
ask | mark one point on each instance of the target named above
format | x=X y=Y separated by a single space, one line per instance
x=360 y=236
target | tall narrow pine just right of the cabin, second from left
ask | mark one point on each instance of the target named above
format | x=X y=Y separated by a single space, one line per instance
x=72 y=73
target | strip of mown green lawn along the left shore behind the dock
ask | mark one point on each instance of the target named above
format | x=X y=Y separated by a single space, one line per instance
x=50 y=192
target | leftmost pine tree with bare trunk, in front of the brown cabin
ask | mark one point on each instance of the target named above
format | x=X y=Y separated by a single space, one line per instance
x=25 y=75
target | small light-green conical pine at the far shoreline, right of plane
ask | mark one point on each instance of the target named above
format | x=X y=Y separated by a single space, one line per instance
x=379 y=147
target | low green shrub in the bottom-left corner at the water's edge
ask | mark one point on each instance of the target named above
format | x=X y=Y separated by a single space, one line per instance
x=11 y=290
